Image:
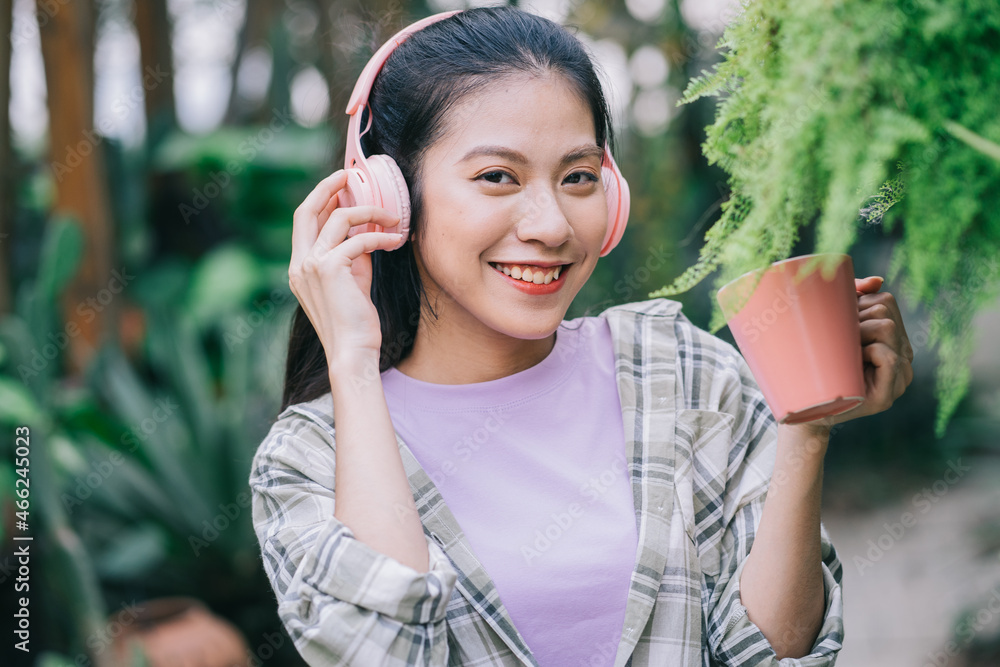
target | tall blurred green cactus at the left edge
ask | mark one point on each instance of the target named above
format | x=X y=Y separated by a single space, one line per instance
x=39 y=403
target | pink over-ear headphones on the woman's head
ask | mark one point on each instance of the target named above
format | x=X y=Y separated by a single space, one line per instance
x=376 y=179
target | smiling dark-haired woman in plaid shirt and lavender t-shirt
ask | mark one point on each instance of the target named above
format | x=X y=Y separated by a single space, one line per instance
x=512 y=488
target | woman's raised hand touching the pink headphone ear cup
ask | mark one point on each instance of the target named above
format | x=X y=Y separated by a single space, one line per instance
x=331 y=274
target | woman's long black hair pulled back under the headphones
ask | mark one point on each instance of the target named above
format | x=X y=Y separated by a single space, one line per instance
x=433 y=69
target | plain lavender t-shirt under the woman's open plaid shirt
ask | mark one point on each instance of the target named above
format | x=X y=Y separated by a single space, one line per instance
x=533 y=467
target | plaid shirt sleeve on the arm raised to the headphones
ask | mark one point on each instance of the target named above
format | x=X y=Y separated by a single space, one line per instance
x=342 y=602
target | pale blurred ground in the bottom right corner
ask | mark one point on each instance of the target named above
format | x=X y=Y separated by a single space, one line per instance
x=907 y=586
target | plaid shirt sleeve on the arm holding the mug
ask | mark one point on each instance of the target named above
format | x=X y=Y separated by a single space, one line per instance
x=749 y=431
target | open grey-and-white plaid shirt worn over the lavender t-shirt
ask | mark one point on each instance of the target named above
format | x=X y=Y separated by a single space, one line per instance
x=701 y=443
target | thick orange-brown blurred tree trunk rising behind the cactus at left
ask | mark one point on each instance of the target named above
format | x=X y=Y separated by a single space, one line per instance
x=75 y=156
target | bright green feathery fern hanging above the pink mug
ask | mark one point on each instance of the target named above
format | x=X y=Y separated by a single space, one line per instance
x=820 y=104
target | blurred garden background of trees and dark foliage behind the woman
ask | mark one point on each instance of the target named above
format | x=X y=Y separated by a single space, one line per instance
x=144 y=304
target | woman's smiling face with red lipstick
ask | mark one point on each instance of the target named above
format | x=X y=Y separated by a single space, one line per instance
x=516 y=181
